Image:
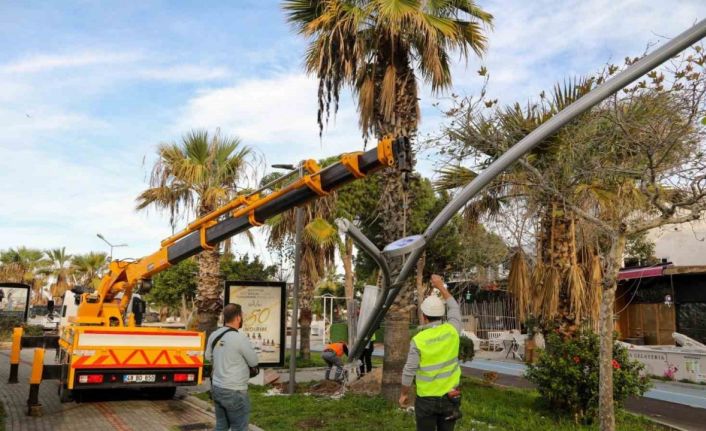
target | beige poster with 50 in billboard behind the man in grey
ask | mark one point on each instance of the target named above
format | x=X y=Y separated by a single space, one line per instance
x=264 y=304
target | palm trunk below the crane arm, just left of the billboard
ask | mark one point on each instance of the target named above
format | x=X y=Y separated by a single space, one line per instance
x=208 y=295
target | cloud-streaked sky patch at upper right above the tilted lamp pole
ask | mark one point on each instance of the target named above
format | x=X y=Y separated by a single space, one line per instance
x=535 y=44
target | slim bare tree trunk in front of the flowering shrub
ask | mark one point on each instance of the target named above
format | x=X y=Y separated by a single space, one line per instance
x=606 y=410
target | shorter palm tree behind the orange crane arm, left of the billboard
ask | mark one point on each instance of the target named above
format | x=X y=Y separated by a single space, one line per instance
x=197 y=175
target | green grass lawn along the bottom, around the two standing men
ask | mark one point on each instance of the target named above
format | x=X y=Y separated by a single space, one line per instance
x=484 y=408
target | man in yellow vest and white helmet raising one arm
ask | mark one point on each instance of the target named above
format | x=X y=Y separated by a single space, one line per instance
x=433 y=362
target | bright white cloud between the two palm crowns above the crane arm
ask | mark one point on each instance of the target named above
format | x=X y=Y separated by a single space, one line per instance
x=278 y=115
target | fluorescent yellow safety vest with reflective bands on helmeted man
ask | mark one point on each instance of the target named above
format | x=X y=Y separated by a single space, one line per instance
x=439 y=370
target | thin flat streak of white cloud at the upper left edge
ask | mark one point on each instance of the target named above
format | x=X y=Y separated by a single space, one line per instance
x=47 y=62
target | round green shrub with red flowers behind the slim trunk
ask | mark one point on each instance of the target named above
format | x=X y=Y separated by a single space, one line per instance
x=566 y=374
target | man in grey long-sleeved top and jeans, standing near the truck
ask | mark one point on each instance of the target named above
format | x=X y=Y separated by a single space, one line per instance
x=231 y=355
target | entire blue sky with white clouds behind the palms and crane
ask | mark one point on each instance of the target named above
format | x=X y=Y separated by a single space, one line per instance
x=88 y=89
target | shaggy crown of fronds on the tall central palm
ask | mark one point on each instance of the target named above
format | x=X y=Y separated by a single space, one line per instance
x=372 y=46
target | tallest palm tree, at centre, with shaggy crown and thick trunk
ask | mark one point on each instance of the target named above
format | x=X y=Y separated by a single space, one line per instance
x=375 y=47
